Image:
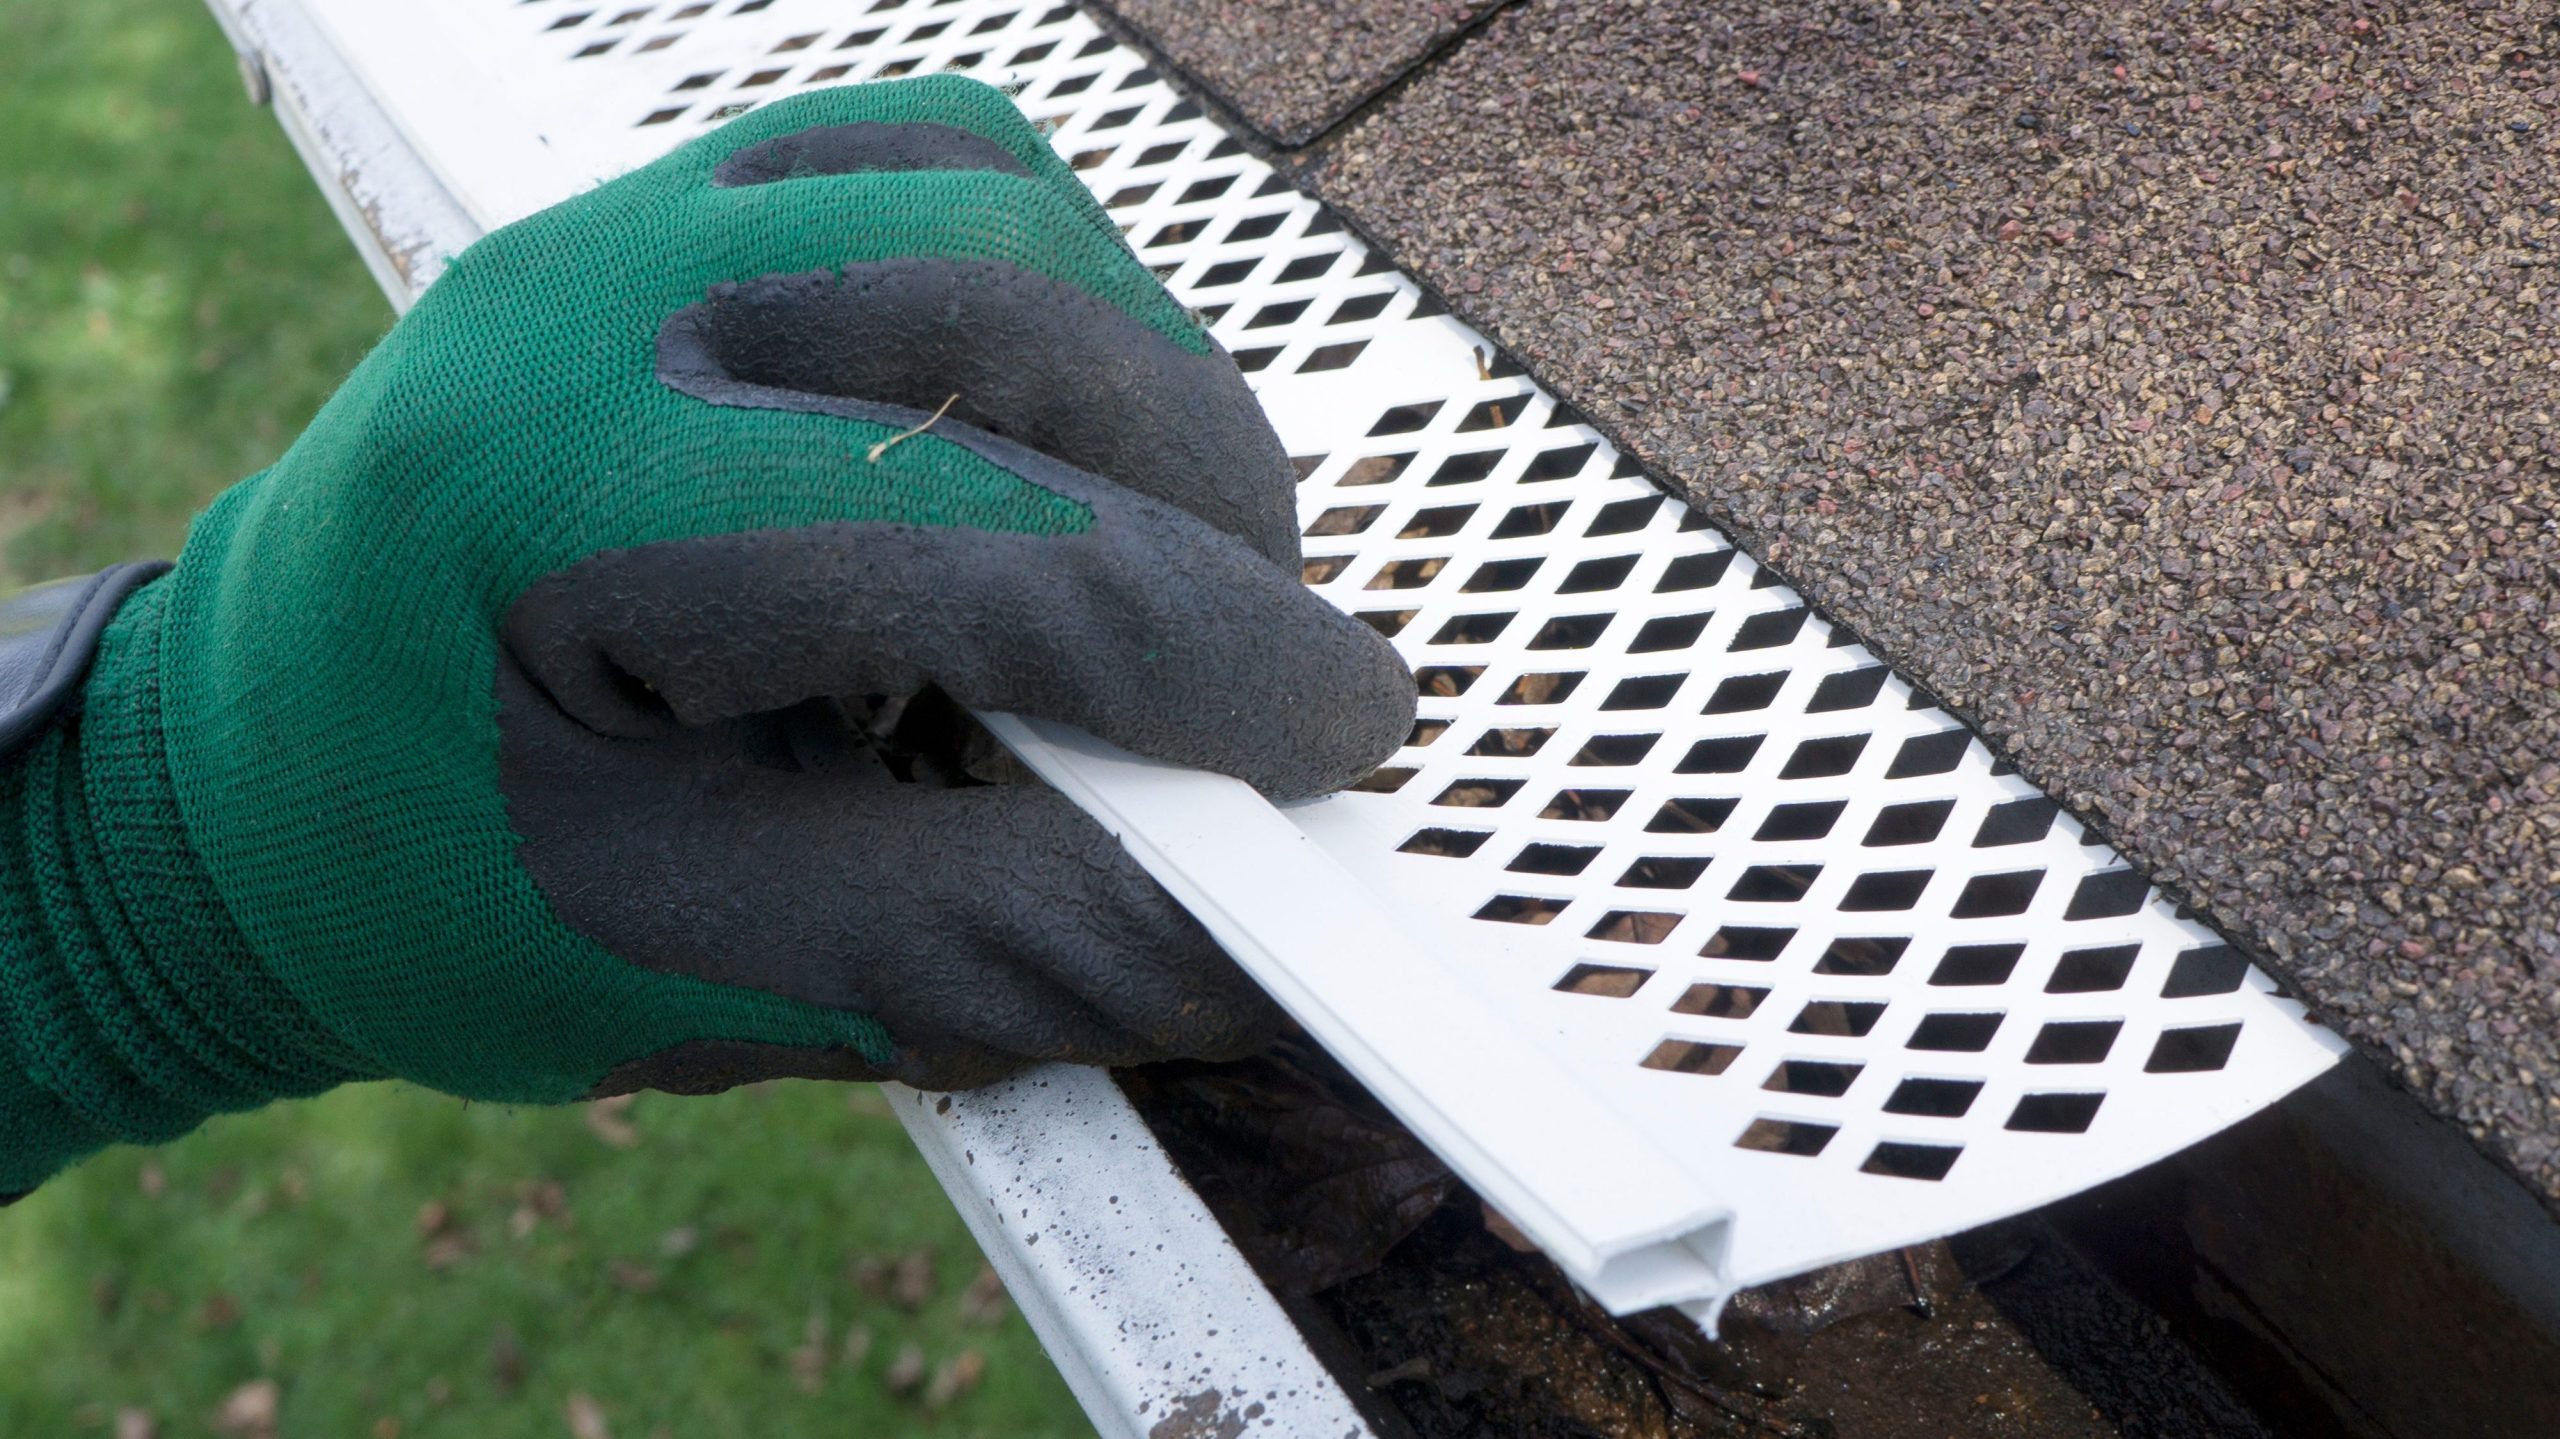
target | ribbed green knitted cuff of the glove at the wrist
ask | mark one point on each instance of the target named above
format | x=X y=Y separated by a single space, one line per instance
x=129 y=1002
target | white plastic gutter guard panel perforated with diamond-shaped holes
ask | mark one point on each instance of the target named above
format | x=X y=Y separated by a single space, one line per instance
x=1699 y=854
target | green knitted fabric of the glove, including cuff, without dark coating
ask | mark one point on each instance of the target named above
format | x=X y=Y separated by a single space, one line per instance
x=270 y=854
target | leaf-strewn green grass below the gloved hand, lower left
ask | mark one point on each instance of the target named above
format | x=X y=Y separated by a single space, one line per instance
x=669 y=1282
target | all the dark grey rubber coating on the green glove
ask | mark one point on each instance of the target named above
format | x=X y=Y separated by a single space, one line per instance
x=654 y=700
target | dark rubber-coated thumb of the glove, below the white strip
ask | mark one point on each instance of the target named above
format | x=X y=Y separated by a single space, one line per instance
x=982 y=928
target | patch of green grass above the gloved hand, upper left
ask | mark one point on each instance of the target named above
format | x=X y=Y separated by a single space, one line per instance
x=175 y=298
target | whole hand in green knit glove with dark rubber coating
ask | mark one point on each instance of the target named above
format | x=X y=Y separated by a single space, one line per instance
x=495 y=739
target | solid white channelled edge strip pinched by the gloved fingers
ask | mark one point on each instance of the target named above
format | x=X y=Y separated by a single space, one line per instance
x=1629 y=1220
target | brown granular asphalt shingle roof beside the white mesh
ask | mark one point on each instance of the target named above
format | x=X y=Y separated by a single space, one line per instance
x=2175 y=390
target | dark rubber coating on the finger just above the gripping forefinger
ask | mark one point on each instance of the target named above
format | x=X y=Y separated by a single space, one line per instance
x=1015 y=355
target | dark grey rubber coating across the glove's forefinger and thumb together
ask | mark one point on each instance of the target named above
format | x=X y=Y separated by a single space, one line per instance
x=982 y=926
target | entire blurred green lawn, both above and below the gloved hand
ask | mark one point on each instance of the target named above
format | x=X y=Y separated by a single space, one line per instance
x=175 y=301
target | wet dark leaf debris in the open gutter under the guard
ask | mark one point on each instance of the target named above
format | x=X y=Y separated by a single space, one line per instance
x=1458 y=1330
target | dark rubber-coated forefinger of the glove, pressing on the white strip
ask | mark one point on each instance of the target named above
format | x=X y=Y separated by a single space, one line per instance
x=1148 y=629
